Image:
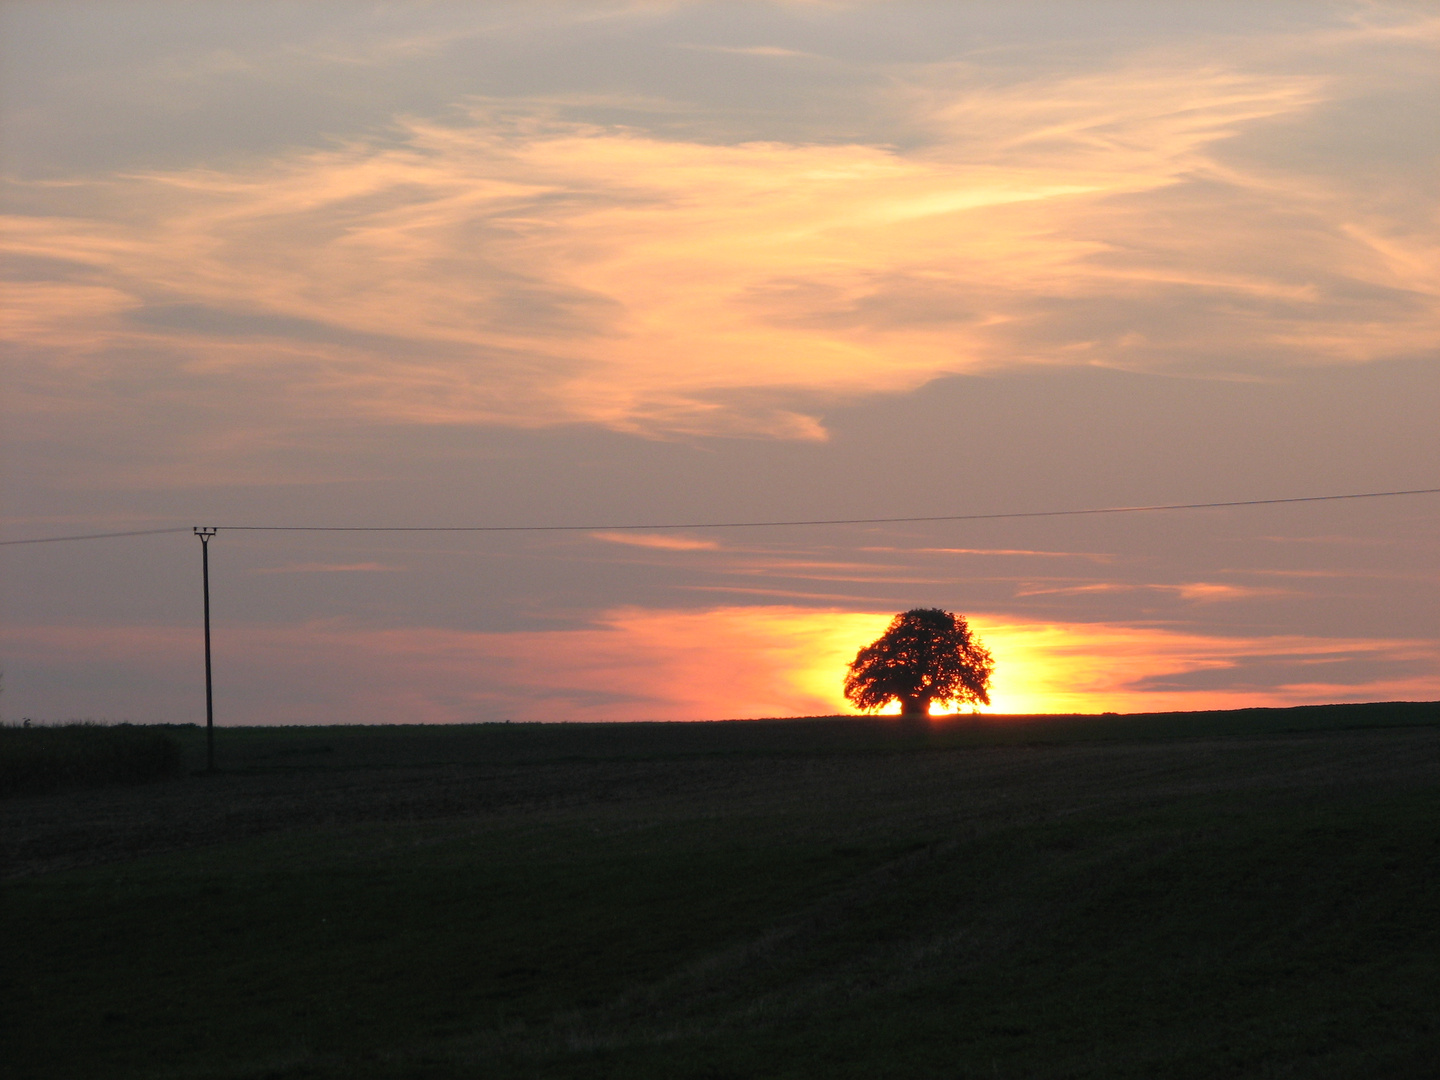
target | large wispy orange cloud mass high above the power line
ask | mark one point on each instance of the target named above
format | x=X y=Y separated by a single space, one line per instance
x=528 y=271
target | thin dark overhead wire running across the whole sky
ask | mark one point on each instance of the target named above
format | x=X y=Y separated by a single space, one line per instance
x=750 y=525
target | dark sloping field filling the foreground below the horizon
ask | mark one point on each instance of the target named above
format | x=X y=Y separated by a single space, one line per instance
x=1242 y=895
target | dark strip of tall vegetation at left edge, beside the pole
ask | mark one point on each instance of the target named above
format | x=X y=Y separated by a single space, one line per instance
x=35 y=761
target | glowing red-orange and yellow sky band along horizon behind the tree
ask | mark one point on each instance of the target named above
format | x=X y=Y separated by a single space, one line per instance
x=722 y=663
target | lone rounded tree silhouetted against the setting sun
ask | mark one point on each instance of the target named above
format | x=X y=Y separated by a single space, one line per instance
x=927 y=656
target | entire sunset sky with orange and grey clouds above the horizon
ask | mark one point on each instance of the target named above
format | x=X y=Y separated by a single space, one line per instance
x=678 y=264
